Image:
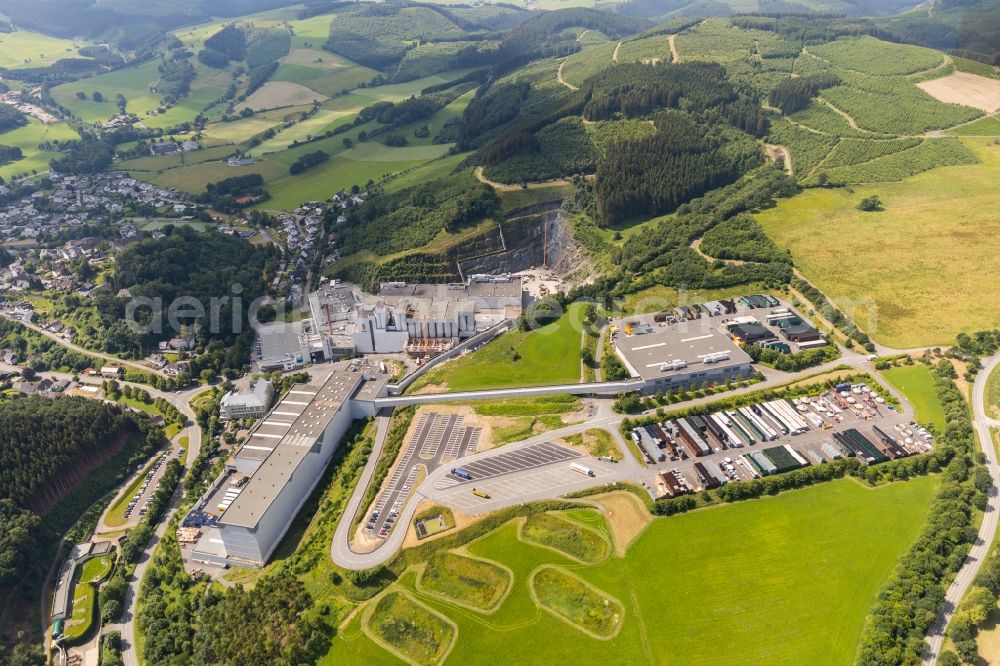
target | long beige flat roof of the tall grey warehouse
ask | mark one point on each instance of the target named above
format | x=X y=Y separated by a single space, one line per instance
x=283 y=439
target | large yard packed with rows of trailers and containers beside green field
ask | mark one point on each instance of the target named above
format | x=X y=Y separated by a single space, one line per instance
x=771 y=437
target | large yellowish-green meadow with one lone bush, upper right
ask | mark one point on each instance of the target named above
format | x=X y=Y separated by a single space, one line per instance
x=932 y=244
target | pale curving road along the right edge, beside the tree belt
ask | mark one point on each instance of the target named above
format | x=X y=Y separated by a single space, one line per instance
x=980 y=549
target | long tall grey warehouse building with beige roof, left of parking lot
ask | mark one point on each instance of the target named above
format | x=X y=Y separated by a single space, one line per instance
x=251 y=505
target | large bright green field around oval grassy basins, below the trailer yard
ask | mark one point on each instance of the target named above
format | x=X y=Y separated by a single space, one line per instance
x=764 y=552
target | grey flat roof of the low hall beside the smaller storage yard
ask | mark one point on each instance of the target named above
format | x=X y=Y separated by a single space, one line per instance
x=689 y=341
